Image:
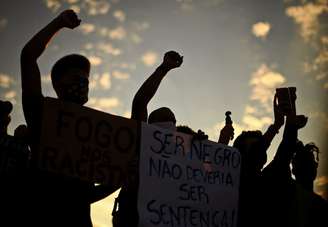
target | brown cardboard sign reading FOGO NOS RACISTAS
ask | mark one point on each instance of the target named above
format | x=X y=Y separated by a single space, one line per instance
x=84 y=143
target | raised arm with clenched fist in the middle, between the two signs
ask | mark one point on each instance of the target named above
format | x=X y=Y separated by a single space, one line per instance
x=148 y=89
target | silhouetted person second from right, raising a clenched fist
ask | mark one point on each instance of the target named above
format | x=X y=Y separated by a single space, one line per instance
x=277 y=186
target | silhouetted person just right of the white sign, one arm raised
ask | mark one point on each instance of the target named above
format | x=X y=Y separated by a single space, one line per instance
x=253 y=146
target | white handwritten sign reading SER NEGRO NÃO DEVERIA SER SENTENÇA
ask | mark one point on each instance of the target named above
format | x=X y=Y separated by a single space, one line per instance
x=185 y=183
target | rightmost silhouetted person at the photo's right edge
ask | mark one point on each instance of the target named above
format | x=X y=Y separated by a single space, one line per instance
x=309 y=209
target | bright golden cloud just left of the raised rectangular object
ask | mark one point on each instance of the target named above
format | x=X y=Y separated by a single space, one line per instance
x=263 y=82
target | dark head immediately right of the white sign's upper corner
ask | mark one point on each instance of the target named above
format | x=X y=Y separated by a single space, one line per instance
x=251 y=147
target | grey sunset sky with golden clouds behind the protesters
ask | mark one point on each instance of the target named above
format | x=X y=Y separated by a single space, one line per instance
x=236 y=52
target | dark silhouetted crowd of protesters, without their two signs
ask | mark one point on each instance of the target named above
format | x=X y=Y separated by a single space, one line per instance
x=279 y=193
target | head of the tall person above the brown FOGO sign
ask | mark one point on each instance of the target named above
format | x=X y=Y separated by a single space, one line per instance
x=70 y=78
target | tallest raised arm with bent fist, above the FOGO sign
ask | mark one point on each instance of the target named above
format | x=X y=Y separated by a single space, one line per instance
x=30 y=73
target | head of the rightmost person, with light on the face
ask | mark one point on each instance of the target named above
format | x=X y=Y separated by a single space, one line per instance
x=305 y=162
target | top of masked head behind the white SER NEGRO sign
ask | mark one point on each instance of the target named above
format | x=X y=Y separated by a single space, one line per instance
x=162 y=117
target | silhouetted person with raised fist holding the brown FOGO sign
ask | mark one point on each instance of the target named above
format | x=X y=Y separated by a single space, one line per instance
x=57 y=200
